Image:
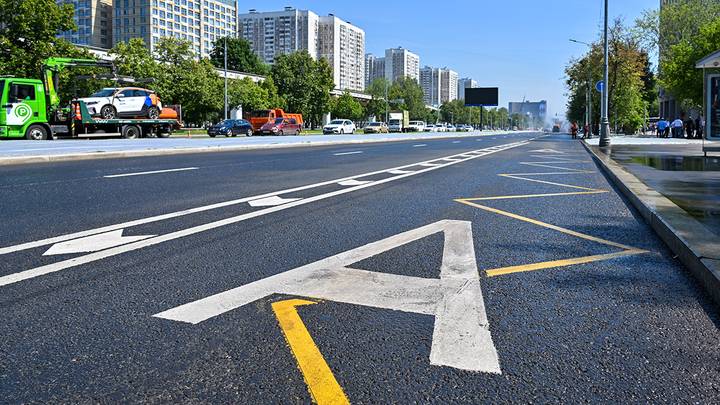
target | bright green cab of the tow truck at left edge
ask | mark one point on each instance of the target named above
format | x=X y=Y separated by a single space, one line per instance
x=23 y=109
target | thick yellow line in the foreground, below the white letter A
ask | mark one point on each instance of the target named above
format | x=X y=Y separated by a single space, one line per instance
x=320 y=380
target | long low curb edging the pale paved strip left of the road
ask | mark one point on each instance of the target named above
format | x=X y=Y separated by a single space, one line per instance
x=17 y=160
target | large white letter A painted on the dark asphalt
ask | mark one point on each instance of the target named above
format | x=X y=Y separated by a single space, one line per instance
x=461 y=335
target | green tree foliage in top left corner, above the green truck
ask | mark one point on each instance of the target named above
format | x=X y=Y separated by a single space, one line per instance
x=28 y=35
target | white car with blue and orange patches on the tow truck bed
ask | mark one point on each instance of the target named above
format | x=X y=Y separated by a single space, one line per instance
x=111 y=103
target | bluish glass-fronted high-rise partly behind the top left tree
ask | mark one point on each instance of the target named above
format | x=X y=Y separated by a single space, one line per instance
x=94 y=23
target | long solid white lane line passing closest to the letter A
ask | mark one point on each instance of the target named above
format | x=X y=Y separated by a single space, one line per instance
x=77 y=261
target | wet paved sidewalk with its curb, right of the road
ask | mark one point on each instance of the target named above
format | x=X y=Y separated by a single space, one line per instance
x=677 y=191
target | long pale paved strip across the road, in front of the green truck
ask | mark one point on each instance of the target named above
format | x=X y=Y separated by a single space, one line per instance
x=21 y=151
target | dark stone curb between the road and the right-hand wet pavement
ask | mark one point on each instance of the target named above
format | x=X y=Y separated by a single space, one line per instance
x=693 y=244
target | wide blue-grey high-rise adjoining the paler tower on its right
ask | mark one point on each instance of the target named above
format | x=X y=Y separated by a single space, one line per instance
x=276 y=33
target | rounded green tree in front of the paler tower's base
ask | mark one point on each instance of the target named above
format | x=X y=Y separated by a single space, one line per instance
x=305 y=84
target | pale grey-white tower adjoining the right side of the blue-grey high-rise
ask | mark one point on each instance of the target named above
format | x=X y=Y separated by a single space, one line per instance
x=343 y=46
